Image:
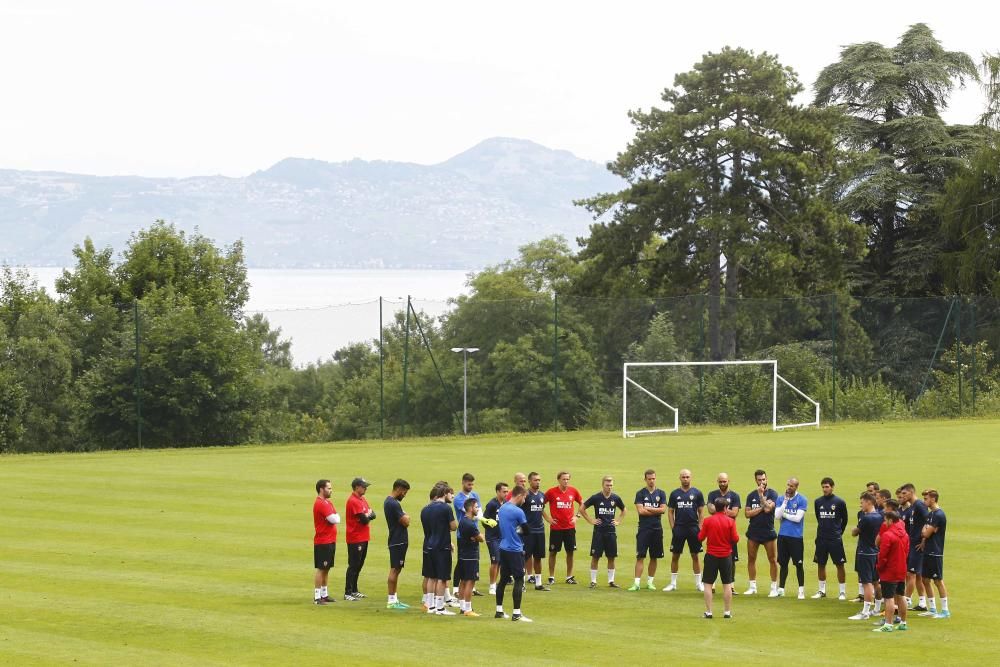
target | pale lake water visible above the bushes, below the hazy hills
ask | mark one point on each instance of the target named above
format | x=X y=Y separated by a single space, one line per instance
x=322 y=310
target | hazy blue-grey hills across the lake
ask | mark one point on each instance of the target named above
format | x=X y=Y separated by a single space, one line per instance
x=469 y=211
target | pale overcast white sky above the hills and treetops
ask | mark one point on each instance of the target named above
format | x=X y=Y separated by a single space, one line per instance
x=185 y=88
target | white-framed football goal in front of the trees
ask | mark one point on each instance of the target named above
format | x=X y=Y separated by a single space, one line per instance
x=655 y=392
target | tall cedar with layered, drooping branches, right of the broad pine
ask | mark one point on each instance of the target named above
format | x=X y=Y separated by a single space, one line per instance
x=892 y=98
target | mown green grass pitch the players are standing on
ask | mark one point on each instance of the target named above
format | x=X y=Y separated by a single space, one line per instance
x=203 y=556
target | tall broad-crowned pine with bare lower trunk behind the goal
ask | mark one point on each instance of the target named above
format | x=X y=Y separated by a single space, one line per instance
x=726 y=193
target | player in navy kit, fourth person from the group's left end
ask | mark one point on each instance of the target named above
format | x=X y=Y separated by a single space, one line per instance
x=438 y=522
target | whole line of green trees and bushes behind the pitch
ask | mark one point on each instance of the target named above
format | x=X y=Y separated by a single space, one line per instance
x=853 y=238
